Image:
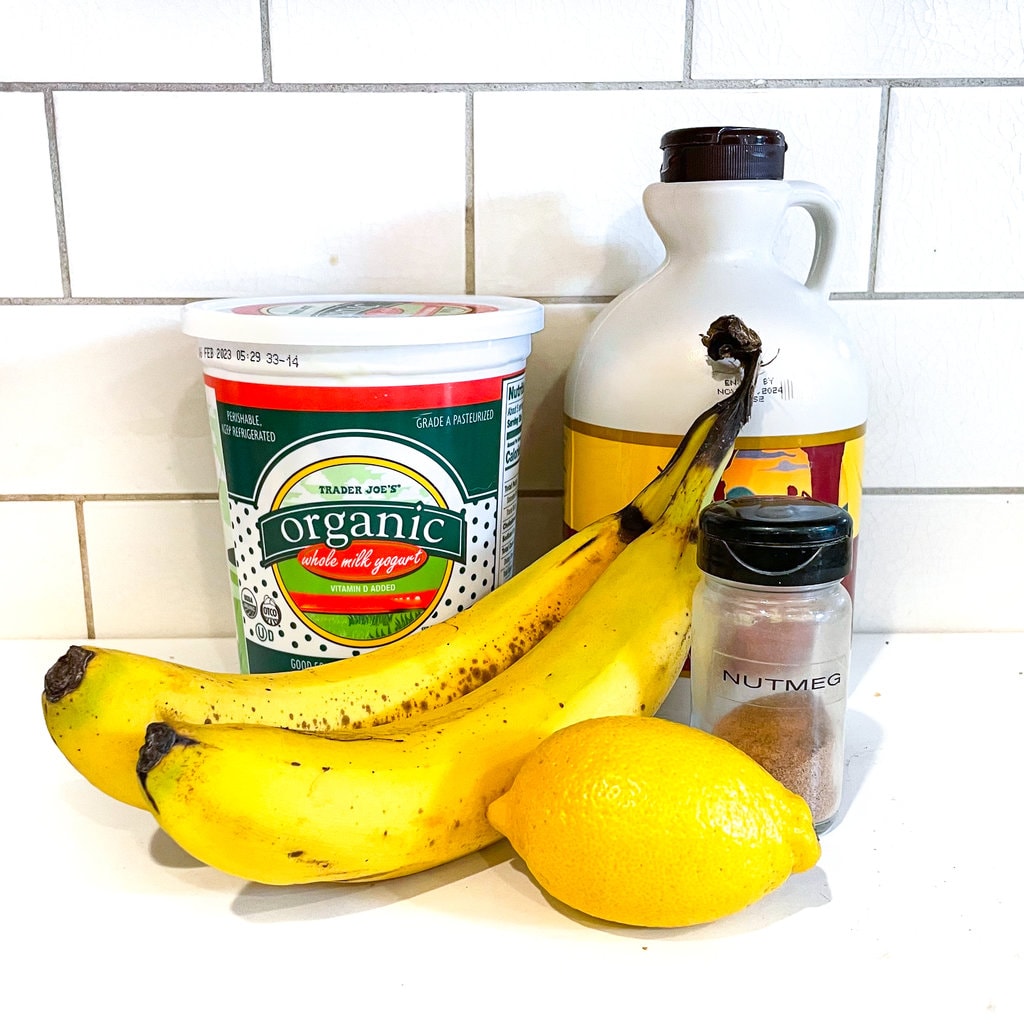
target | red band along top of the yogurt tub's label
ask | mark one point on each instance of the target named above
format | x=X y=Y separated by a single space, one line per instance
x=304 y=399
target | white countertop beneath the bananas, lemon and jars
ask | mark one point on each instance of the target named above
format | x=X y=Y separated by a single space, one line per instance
x=915 y=911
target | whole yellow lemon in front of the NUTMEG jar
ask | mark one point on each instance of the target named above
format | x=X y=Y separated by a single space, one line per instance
x=649 y=823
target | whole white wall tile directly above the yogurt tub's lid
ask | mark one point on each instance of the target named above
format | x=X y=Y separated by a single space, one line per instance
x=187 y=194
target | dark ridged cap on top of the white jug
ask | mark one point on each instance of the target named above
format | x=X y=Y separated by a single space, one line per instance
x=722 y=154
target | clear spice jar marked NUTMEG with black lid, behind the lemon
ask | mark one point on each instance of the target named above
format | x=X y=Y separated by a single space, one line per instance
x=773 y=631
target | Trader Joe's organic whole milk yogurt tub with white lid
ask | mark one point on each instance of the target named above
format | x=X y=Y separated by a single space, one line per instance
x=368 y=460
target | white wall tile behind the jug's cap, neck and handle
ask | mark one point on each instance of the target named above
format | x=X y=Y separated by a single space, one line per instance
x=561 y=178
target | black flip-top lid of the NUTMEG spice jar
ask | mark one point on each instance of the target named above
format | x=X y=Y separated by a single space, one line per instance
x=776 y=541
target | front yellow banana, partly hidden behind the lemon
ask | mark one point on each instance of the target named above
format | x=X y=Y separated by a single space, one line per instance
x=281 y=807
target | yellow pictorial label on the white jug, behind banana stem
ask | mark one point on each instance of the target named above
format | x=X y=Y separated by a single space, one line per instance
x=606 y=468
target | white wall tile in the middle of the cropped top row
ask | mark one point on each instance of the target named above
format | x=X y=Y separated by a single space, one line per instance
x=470 y=41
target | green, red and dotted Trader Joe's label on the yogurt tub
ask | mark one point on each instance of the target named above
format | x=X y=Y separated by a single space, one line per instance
x=357 y=516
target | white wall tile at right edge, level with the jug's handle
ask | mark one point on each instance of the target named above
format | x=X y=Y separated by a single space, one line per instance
x=955 y=192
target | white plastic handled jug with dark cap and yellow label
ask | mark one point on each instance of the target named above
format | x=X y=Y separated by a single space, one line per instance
x=642 y=375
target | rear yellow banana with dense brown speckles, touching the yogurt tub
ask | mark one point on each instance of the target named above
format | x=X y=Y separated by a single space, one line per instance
x=98 y=702
